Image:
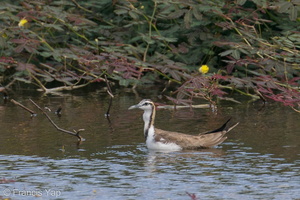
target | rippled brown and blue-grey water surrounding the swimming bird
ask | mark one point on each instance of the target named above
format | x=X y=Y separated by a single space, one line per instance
x=259 y=160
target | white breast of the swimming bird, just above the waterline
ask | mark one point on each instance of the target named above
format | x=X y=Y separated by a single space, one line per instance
x=156 y=145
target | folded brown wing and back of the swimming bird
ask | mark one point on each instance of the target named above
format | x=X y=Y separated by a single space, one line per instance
x=190 y=141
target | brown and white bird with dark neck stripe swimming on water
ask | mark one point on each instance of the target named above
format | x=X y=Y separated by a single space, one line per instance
x=167 y=140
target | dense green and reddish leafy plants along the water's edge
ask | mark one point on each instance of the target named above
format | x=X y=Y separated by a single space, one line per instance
x=251 y=47
